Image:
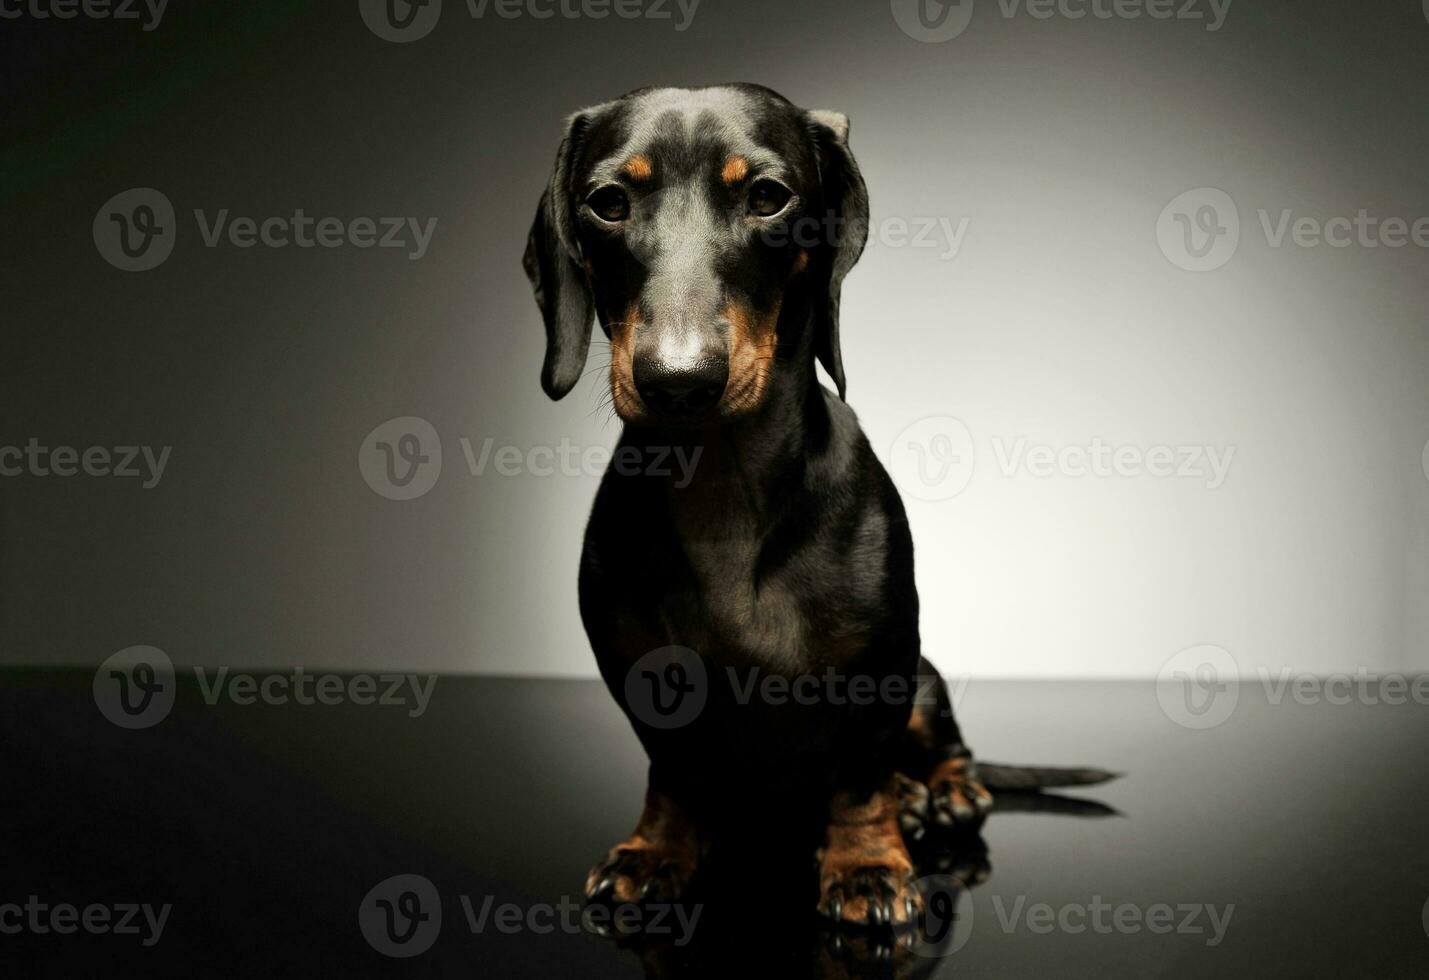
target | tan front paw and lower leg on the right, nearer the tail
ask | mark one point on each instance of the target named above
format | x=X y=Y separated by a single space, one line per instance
x=865 y=871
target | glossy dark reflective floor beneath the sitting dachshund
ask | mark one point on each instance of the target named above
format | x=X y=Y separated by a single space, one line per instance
x=1288 y=841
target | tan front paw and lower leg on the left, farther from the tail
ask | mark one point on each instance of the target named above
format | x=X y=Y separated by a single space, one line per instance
x=655 y=864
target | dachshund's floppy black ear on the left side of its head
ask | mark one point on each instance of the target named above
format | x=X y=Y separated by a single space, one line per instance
x=555 y=266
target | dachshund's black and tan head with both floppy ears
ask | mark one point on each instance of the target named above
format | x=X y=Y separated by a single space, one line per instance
x=709 y=231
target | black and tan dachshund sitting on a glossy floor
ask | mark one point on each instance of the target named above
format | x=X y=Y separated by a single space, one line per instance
x=709 y=232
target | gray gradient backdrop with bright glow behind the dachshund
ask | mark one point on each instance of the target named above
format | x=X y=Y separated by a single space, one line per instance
x=1060 y=322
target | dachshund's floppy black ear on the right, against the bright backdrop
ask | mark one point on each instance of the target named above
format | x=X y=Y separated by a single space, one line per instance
x=847 y=198
